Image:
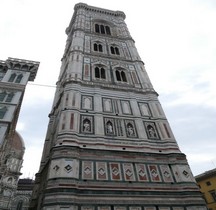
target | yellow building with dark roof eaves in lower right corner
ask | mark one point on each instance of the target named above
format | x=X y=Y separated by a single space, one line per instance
x=207 y=184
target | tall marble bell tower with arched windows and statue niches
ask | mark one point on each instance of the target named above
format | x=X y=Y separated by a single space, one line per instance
x=109 y=145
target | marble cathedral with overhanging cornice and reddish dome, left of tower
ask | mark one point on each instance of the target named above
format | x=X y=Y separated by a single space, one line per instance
x=14 y=75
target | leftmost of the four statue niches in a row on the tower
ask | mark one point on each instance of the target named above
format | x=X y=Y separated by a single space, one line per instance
x=87 y=124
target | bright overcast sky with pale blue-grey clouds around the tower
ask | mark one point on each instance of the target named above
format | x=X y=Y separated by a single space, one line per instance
x=175 y=38
